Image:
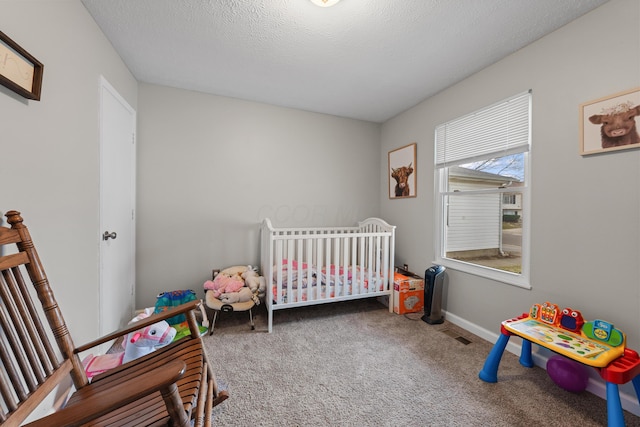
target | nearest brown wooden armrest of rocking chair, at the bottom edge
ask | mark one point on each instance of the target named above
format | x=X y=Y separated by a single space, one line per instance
x=94 y=405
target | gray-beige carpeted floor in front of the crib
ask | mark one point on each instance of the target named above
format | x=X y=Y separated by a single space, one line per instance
x=355 y=364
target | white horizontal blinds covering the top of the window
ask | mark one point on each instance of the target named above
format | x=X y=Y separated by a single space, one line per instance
x=501 y=129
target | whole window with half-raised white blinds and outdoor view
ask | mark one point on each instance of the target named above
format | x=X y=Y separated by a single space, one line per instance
x=482 y=191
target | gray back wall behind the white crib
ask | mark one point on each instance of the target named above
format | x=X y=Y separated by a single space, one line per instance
x=211 y=168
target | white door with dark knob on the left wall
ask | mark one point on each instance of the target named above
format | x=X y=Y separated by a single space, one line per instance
x=117 y=209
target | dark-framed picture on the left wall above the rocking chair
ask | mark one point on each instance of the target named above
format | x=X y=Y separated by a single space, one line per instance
x=19 y=70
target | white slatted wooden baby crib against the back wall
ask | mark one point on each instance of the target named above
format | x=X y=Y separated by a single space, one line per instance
x=317 y=265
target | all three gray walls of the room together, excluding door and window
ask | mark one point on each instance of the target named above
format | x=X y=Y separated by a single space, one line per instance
x=211 y=168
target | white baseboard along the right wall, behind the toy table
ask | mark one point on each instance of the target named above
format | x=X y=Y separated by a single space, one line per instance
x=596 y=386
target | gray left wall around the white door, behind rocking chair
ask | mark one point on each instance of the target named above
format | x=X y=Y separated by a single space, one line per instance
x=49 y=149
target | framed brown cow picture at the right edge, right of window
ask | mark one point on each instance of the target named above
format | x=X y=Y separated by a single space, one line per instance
x=608 y=123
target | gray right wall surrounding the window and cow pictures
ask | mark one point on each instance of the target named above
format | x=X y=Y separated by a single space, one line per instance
x=585 y=217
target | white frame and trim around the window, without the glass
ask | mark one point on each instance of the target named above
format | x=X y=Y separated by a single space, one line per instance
x=441 y=191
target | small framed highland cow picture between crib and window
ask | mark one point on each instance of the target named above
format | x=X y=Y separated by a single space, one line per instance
x=402 y=172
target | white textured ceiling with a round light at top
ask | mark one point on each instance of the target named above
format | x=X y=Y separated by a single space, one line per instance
x=362 y=59
